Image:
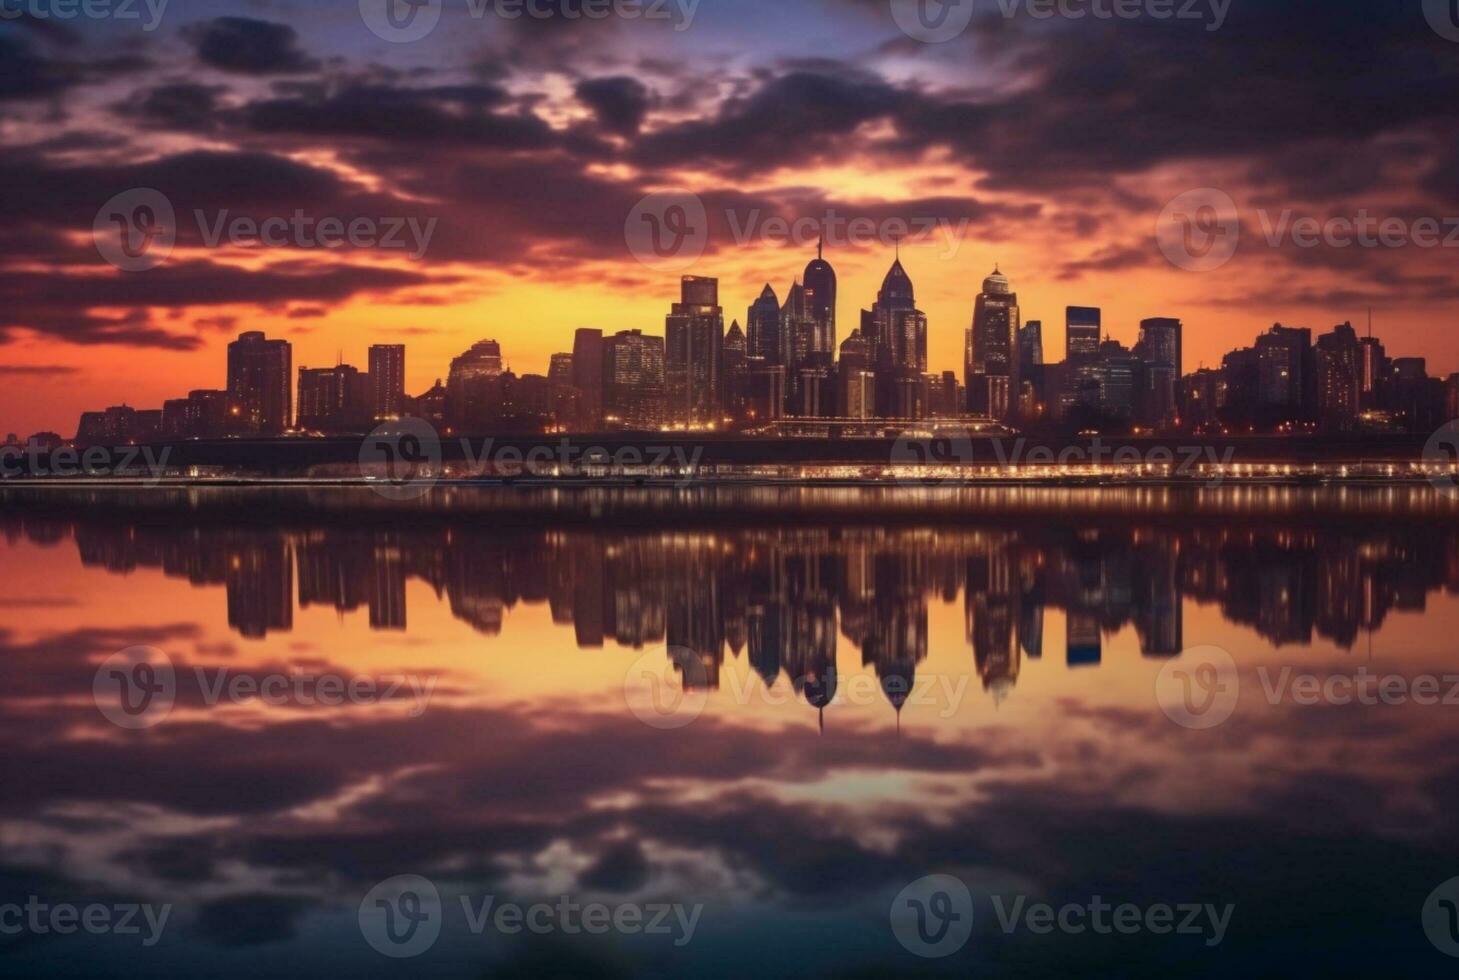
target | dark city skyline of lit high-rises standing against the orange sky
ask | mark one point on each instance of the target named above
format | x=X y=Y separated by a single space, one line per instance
x=790 y=364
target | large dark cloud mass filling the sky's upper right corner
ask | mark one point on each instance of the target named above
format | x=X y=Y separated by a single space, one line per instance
x=1120 y=98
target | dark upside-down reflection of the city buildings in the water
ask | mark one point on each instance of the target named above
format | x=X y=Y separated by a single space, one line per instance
x=783 y=596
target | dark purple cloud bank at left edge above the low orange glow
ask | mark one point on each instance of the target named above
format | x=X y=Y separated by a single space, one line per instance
x=63 y=303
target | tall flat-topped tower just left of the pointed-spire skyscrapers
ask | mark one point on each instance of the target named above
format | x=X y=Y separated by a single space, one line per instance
x=694 y=341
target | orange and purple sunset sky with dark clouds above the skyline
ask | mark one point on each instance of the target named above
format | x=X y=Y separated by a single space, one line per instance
x=530 y=142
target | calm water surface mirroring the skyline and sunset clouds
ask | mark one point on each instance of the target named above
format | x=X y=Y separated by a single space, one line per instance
x=780 y=707
